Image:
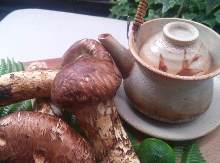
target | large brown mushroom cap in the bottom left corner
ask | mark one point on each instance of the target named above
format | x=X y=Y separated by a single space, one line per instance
x=37 y=137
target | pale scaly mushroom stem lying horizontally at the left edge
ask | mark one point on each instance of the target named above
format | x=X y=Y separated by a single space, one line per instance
x=18 y=86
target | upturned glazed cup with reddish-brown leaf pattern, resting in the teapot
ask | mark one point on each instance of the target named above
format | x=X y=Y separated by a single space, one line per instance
x=177 y=50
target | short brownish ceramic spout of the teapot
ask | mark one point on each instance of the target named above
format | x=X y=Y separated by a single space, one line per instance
x=122 y=56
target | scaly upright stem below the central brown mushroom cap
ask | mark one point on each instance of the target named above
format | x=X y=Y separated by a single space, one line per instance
x=105 y=132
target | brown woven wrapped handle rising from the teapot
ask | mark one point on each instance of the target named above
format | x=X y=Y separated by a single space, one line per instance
x=139 y=17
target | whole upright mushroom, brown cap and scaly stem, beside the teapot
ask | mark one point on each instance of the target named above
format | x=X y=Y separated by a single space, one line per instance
x=86 y=86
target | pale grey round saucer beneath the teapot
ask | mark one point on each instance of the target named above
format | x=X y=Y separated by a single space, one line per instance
x=199 y=127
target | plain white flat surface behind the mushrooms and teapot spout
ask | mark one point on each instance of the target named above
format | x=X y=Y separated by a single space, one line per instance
x=33 y=34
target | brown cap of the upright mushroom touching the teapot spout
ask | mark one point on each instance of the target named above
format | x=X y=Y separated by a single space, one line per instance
x=91 y=77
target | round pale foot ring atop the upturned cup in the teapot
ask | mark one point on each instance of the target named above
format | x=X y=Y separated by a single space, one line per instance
x=180 y=33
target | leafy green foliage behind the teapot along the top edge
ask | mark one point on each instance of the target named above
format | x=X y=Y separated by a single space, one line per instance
x=203 y=11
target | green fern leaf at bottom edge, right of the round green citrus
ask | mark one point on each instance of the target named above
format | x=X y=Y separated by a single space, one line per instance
x=192 y=154
